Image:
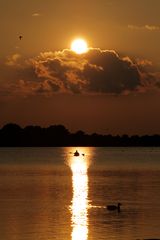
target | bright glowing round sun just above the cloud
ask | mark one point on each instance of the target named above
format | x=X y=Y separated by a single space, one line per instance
x=79 y=46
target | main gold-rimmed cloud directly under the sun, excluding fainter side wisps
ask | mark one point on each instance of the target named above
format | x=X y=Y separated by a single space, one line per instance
x=96 y=71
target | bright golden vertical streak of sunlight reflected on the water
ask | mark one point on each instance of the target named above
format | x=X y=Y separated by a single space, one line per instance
x=79 y=207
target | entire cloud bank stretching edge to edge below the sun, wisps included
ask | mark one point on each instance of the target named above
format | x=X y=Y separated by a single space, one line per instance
x=95 y=72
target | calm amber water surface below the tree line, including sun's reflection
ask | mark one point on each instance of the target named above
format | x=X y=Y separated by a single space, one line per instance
x=47 y=193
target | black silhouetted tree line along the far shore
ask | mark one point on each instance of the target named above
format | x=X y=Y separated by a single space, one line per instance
x=12 y=135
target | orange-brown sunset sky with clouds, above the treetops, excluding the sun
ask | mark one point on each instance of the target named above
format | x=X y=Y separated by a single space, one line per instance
x=112 y=88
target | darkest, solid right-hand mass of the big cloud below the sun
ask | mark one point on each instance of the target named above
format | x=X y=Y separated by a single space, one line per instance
x=114 y=75
